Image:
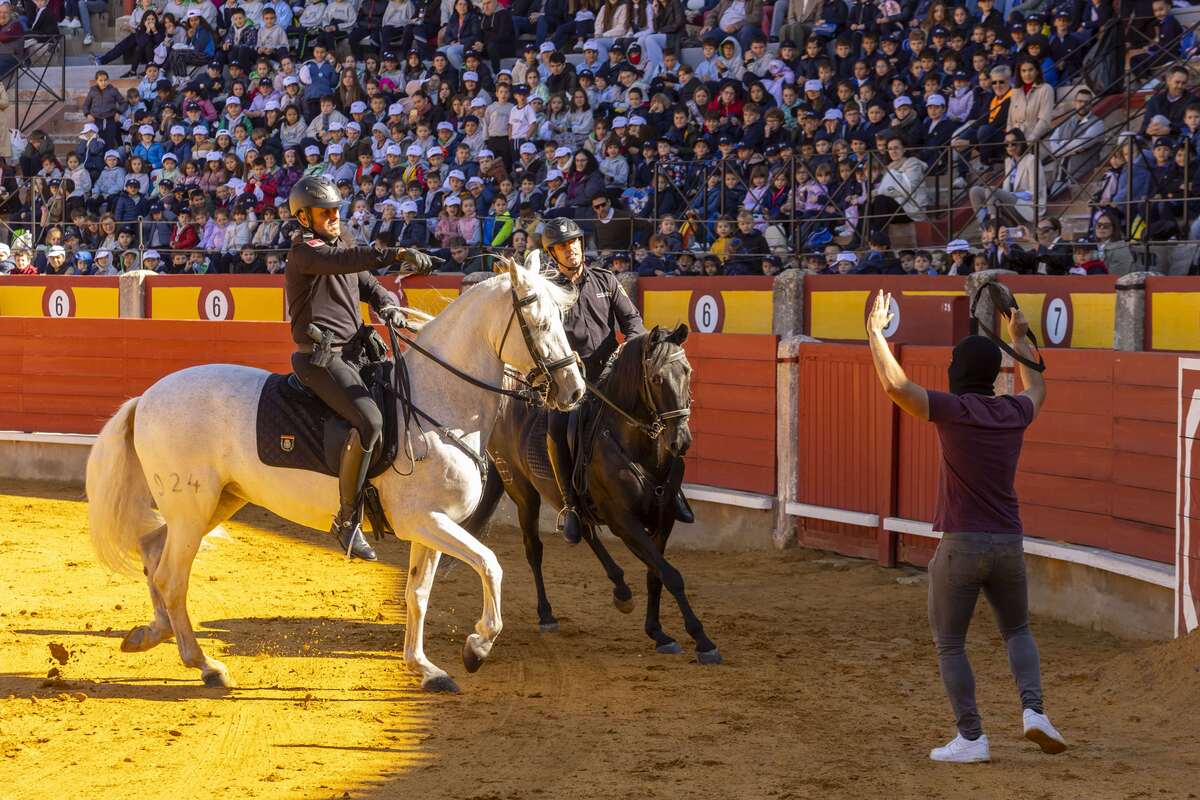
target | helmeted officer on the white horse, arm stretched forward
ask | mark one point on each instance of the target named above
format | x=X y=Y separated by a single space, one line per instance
x=327 y=278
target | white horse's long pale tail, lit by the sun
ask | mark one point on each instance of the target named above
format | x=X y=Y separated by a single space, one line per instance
x=121 y=509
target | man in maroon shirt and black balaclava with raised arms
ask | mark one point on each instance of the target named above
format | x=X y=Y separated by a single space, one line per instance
x=980 y=521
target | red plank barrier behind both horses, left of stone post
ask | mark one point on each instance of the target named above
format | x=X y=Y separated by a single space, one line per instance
x=70 y=376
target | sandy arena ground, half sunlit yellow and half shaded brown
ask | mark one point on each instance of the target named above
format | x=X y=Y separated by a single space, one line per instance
x=830 y=688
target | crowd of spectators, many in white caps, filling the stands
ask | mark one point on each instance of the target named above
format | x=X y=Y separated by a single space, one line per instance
x=801 y=135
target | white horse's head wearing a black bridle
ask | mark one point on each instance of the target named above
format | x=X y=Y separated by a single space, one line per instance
x=535 y=339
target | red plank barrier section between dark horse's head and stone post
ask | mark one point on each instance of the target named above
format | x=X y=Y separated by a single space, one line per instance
x=734 y=412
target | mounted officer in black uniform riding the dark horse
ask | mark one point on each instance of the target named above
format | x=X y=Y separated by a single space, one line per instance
x=602 y=309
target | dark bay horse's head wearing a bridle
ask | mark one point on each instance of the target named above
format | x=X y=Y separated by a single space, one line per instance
x=651 y=378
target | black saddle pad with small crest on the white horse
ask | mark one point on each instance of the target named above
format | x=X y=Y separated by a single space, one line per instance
x=298 y=431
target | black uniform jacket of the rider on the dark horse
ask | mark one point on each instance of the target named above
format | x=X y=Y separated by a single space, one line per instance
x=602 y=310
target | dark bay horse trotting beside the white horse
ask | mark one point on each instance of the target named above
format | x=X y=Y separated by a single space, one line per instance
x=631 y=465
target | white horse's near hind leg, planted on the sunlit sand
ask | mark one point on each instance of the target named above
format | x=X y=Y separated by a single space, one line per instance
x=189 y=519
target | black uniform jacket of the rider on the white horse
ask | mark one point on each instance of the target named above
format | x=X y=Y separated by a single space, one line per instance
x=326 y=284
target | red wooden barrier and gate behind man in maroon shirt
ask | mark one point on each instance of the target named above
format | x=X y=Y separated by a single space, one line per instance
x=1097 y=468
